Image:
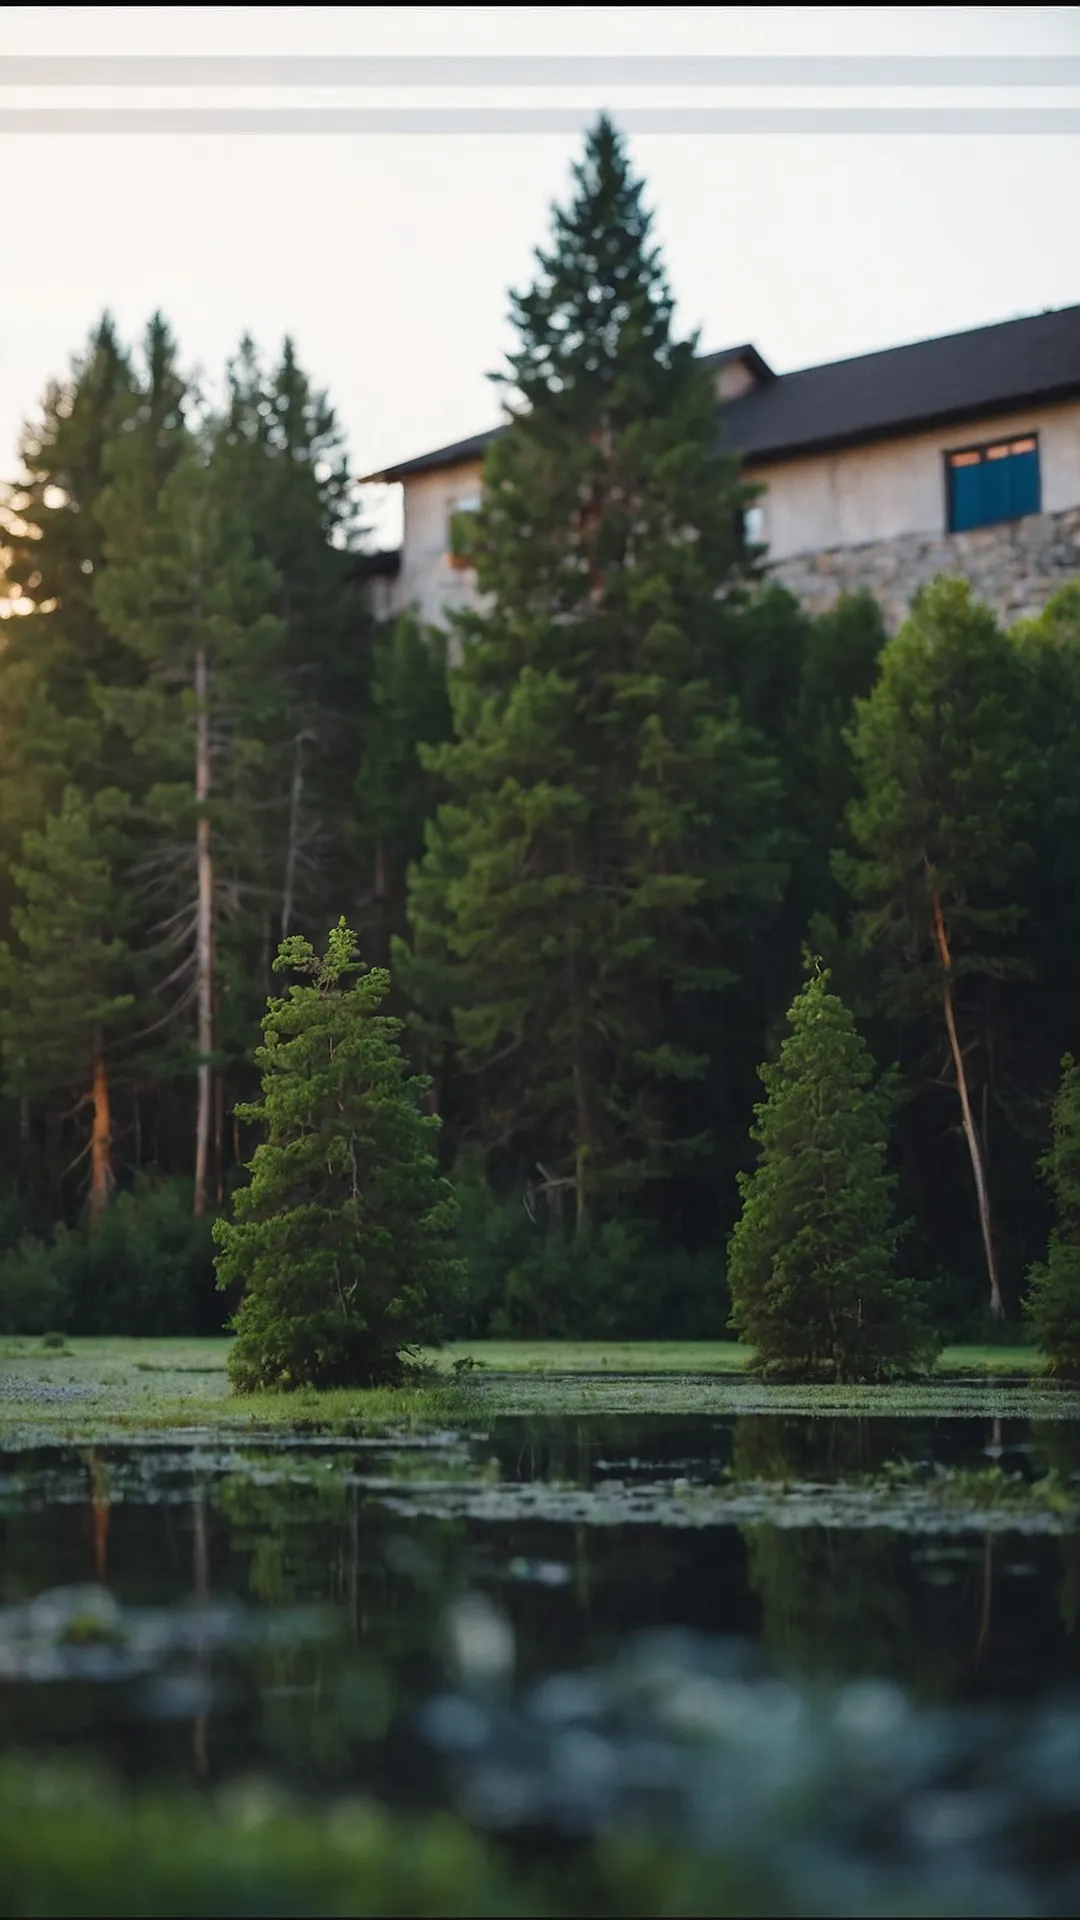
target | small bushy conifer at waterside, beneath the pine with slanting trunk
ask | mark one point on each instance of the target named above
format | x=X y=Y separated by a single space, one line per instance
x=812 y=1264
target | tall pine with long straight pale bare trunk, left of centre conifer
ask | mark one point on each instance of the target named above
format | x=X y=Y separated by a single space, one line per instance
x=193 y=604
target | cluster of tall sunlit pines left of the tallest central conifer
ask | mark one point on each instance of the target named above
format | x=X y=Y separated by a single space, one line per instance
x=205 y=744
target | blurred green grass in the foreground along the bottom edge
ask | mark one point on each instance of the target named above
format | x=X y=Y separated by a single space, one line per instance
x=74 y=1846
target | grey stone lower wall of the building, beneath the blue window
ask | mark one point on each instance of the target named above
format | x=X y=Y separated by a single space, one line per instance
x=1014 y=567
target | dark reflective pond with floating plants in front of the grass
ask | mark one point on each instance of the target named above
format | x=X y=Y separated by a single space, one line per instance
x=430 y=1620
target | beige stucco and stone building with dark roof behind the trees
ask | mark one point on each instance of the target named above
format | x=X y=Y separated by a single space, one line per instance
x=950 y=456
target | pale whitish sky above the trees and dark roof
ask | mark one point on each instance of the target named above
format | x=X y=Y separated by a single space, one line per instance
x=389 y=256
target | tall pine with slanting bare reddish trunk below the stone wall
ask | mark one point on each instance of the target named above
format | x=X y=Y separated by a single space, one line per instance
x=946 y=788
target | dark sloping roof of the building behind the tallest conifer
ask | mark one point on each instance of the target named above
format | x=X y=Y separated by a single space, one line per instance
x=873 y=396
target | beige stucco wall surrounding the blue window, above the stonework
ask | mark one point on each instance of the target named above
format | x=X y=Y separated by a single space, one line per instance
x=898 y=487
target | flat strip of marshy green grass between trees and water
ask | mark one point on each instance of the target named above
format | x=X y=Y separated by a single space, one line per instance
x=126 y=1385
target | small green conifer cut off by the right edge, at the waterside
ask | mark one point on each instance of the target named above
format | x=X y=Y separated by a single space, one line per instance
x=1054 y=1295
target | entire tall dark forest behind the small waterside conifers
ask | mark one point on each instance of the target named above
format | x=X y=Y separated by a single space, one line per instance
x=593 y=852
